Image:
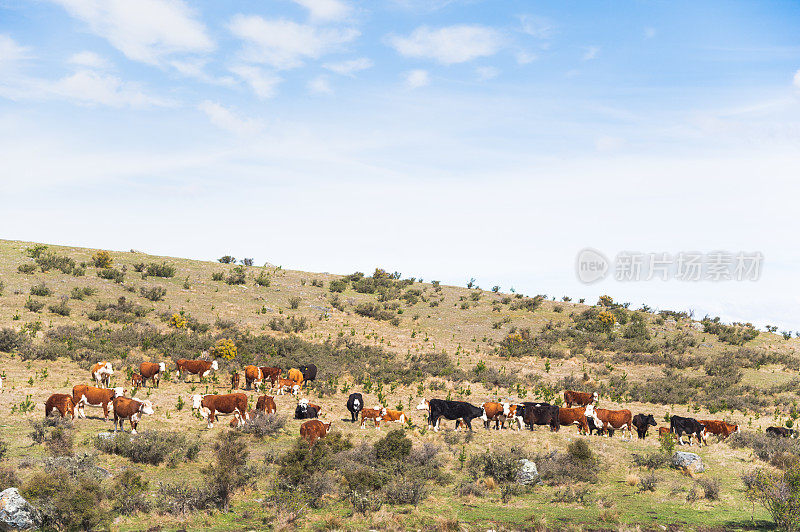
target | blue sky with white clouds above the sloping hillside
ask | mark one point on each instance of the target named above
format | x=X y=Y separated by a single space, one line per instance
x=443 y=139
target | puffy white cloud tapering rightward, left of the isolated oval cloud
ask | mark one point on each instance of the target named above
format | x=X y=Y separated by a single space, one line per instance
x=285 y=44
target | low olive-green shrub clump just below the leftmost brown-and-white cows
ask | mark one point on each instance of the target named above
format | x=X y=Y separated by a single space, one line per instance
x=149 y=446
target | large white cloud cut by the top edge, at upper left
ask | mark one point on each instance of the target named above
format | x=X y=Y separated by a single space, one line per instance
x=145 y=30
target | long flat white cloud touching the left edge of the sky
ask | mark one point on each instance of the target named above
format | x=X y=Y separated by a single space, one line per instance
x=85 y=87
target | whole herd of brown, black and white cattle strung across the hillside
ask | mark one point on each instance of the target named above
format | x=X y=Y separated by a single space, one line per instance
x=580 y=409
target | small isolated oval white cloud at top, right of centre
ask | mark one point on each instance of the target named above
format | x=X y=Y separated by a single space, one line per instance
x=449 y=45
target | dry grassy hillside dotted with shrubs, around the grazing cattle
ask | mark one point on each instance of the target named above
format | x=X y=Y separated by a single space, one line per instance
x=395 y=340
